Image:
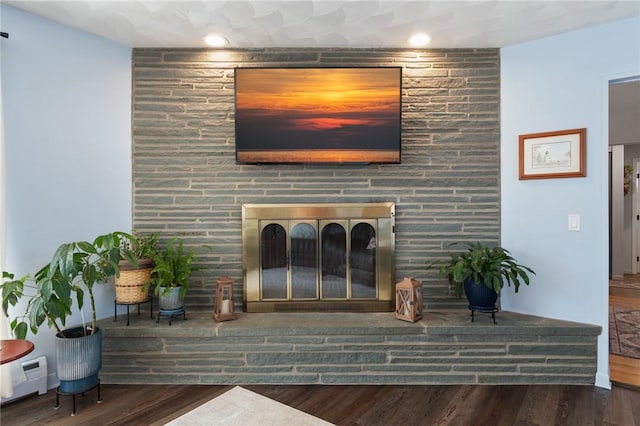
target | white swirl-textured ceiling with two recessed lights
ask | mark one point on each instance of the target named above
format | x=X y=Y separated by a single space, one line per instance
x=326 y=23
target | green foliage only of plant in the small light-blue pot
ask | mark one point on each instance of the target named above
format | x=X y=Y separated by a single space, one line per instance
x=173 y=267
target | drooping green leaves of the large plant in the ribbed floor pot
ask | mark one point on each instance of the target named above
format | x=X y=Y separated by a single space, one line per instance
x=74 y=270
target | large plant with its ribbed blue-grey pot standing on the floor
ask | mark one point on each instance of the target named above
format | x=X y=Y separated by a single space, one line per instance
x=73 y=271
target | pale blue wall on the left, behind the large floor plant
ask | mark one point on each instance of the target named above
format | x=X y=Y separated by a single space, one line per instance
x=67 y=105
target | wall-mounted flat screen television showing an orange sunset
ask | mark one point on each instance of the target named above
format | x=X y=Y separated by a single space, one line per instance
x=318 y=115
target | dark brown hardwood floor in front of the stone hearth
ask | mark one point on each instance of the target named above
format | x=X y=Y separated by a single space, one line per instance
x=350 y=405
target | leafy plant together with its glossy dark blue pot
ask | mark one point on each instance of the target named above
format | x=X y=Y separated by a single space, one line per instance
x=482 y=271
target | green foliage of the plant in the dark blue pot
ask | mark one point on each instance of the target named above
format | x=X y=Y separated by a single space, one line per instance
x=491 y=266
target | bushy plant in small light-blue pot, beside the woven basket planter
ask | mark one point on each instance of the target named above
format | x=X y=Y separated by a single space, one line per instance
x=170 y=275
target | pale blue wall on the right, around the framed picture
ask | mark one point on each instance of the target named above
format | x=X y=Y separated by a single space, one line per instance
x=550 y=84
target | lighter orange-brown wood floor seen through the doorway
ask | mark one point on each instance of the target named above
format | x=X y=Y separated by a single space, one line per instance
x=622 y=369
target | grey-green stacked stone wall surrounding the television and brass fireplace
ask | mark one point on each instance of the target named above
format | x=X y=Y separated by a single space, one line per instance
x=186 y=182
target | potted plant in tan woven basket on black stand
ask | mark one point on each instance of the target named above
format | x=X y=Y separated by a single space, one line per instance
x=132 y=285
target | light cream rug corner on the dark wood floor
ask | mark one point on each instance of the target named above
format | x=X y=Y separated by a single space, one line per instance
x=240 y=406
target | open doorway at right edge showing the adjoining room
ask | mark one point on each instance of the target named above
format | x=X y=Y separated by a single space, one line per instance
x=624 y=214
